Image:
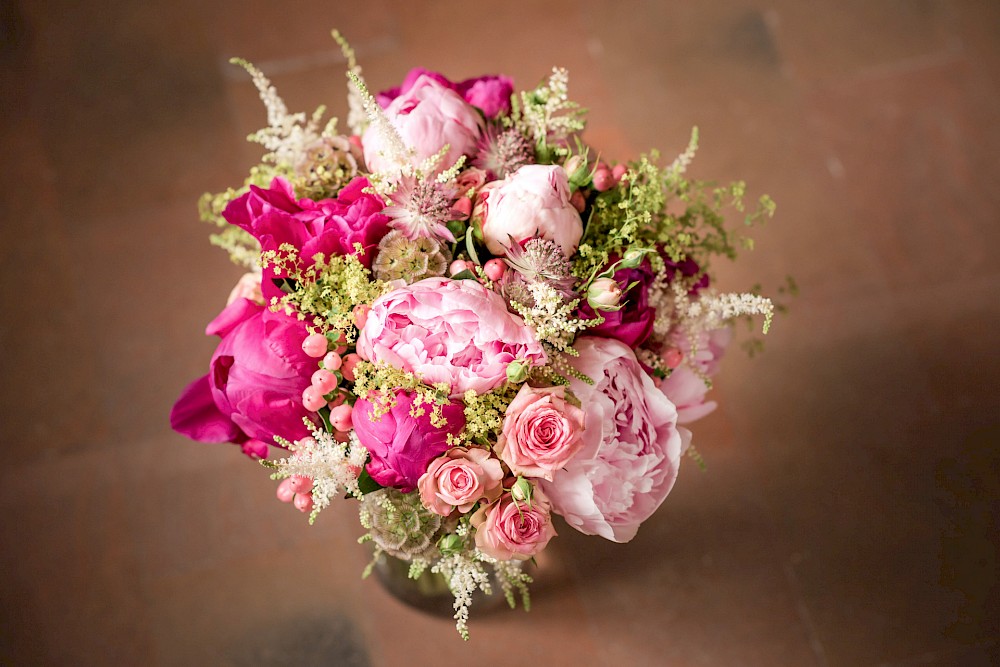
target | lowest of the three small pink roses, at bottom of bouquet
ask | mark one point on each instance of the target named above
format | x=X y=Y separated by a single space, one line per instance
x=507 y=530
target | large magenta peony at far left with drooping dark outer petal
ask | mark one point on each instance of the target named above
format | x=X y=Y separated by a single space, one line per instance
x=254 y=388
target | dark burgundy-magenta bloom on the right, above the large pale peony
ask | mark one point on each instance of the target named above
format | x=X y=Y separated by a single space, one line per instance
x=634 y=323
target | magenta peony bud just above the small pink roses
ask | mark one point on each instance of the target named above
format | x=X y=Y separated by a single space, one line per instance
x=401 y=445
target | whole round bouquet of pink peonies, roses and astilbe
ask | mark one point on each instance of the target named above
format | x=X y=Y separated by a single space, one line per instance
x=462 y=317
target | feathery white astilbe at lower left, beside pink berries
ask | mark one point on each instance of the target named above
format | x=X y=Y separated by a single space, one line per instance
x=333 y=466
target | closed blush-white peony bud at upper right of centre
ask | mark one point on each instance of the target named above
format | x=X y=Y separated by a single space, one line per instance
x=533 y=201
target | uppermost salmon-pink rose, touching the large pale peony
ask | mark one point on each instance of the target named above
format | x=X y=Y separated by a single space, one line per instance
x=541 y=432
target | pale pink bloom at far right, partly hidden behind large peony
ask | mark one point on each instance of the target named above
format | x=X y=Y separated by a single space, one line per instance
x=685 y=388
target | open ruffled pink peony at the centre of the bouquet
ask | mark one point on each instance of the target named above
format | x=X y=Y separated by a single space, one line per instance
x=451 y=331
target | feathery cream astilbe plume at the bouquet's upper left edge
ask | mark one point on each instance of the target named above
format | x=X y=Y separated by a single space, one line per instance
x=288 y=136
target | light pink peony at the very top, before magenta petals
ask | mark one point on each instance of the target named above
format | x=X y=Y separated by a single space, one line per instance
x=427 y=116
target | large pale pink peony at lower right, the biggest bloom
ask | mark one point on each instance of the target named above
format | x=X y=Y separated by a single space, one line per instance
x=631 y=448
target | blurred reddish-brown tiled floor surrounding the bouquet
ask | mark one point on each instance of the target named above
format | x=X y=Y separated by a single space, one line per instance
x=849 y=514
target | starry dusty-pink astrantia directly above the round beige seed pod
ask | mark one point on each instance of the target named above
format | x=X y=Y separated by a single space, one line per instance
x=422 y=208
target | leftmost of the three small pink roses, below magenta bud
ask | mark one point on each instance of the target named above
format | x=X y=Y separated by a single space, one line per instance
x=460 y=478
